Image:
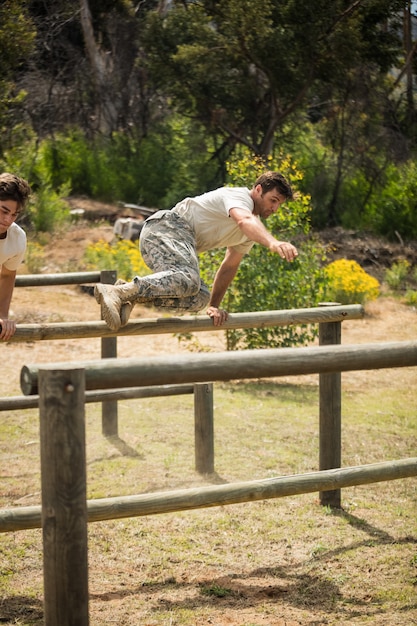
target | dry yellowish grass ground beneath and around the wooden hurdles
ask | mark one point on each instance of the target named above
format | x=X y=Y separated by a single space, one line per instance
x=287 y=561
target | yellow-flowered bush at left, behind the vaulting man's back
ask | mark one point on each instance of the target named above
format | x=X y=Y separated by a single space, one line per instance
x=124 y=256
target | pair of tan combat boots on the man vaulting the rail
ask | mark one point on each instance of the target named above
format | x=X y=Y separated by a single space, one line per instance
x=112 y=298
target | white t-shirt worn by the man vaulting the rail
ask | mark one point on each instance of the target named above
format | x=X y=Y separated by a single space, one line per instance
x=209 y=216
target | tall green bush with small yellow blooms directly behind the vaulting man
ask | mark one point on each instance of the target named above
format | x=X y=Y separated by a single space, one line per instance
x=264 y=281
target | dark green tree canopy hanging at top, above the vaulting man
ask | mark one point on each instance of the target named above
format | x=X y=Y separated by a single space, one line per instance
x=244 y=67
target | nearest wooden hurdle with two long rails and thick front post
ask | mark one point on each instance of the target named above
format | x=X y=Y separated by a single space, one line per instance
x=57 y=379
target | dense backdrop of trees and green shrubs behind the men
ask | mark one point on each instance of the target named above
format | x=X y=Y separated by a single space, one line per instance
x=148 y=102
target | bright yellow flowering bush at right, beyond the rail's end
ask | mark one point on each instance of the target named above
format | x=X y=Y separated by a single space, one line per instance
x=348 y=283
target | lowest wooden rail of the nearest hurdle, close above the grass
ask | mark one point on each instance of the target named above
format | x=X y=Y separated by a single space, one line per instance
x=23 y=518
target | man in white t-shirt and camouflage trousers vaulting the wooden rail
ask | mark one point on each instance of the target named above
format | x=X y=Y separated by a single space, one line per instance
x=170 y=241
